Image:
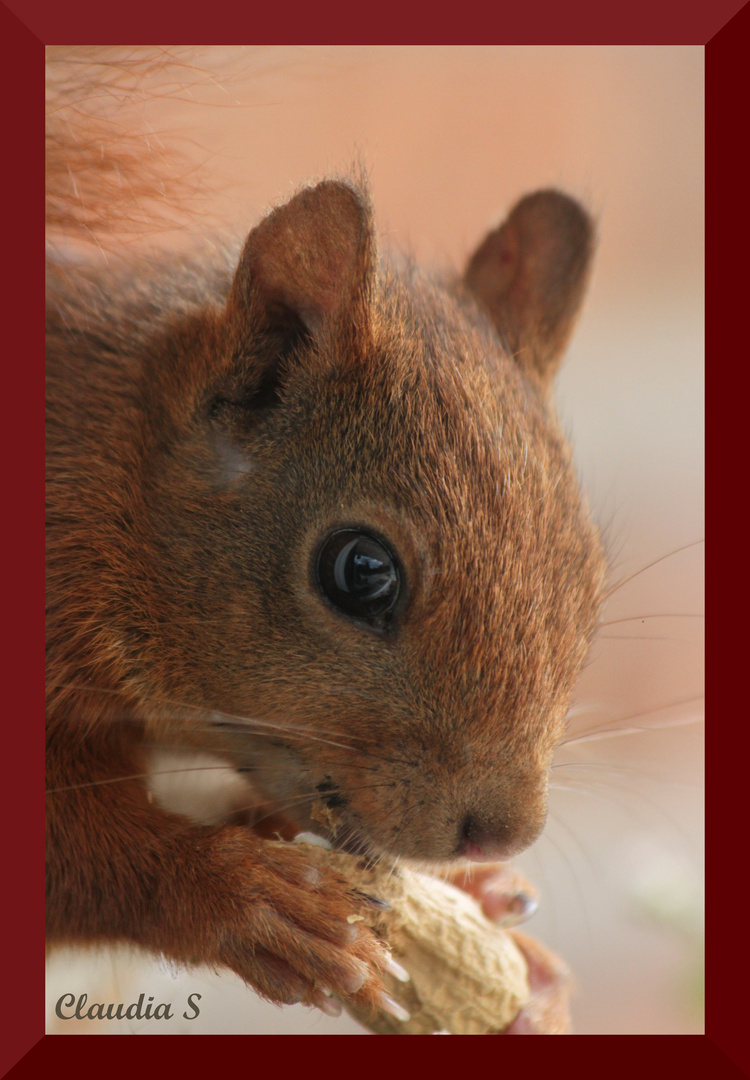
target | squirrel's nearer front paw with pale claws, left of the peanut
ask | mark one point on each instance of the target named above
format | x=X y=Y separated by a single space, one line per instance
x=297 y=933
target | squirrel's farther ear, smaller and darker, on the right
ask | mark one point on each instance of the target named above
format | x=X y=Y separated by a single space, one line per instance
x=531 y=274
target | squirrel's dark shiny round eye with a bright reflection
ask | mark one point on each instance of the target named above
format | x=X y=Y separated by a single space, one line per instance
x=359 y=576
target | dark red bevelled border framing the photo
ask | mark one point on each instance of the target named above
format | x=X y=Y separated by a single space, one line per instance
x=26 y=26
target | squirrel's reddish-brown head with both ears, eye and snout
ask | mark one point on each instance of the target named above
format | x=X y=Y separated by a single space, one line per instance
x=379 y=579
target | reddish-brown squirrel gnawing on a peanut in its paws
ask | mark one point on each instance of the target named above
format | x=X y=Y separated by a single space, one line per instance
x=310 y=509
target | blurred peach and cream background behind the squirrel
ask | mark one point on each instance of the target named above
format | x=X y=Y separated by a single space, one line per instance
x=451 y=137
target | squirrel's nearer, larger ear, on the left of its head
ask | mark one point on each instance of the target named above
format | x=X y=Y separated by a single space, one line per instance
x=310 y=264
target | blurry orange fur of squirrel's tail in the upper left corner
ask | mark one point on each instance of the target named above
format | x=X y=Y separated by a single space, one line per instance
x=109 y=174
